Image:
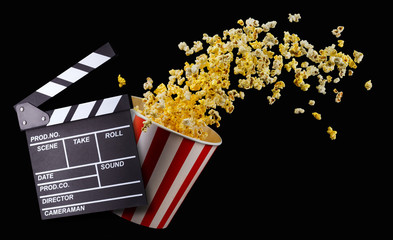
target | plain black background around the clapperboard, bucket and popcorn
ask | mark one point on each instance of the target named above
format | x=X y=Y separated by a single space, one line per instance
x=275 y=173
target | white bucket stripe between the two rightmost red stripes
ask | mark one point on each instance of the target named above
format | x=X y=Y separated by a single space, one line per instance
x=177 y=183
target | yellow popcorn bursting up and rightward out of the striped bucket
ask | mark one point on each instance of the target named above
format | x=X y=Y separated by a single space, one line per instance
x=190 y=100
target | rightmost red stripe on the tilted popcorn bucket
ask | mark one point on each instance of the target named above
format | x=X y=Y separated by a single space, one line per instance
x=185 y=184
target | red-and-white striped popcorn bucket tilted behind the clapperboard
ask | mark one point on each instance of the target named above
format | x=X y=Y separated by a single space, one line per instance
x=171 y=162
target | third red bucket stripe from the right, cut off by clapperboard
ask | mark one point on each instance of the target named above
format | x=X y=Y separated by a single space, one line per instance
x=154 y=153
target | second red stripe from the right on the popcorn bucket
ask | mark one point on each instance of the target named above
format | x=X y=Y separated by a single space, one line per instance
x=174 y=168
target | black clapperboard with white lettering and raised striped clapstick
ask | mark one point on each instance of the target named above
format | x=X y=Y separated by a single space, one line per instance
x=84 y=157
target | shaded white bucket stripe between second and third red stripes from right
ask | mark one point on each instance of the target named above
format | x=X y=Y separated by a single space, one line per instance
x=158 y=174
